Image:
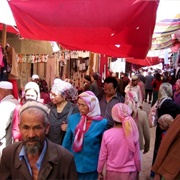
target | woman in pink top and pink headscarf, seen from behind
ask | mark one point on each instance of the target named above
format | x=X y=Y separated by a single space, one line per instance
x=120 y=147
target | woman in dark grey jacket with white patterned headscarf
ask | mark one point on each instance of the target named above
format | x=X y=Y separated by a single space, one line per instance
x=60 y=108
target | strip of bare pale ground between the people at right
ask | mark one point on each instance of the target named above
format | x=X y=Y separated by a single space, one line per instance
x=147 y=158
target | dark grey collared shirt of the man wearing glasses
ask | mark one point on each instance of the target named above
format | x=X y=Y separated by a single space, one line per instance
x=106 y=108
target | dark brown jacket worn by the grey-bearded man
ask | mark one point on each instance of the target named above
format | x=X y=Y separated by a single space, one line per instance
x=58 y=163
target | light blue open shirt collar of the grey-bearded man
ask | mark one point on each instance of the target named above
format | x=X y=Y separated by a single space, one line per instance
x=22 y=155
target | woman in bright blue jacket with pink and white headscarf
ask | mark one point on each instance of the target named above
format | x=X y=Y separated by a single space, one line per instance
x=84 y=134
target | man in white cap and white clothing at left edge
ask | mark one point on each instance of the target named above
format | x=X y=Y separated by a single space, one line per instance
x=7 y=106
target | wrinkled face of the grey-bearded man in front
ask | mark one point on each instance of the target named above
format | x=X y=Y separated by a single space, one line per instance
x=33 y=130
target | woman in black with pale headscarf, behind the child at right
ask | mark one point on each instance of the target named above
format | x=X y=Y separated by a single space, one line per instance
x=165 y=105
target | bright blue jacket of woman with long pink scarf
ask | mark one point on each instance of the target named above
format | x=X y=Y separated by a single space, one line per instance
x=87 y=159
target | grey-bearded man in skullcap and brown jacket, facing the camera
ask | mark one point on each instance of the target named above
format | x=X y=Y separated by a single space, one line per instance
x=35 y=157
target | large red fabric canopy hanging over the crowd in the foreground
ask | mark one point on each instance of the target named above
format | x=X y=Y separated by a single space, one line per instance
x=119 y=28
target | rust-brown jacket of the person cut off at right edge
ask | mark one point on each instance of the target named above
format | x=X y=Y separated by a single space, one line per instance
x=167 y=163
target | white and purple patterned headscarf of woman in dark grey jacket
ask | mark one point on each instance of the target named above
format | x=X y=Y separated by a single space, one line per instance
x=64 y=89
